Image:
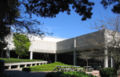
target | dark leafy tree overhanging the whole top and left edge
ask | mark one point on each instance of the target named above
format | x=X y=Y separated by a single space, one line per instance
x=10 y=12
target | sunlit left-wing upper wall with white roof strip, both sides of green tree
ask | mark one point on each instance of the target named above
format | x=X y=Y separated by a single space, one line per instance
x=38 y=44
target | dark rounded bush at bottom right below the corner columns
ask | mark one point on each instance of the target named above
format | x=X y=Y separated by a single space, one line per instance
x=108 y=72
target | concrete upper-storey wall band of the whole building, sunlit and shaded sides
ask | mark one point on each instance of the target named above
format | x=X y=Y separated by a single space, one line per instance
x=95 y=40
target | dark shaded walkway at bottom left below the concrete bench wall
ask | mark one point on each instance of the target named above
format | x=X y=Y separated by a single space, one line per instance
x=15 y=73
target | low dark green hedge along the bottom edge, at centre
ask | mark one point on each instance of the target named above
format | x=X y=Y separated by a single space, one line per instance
x=68 y=74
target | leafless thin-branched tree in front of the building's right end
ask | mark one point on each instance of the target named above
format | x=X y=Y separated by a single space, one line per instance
x=113 y=40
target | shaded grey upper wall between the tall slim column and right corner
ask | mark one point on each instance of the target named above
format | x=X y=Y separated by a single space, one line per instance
x=93 y=40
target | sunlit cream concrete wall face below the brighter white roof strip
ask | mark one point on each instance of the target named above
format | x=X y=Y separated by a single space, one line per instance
x=43 y=46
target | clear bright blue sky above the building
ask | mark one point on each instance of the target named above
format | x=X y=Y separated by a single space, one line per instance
x=68 y=26
